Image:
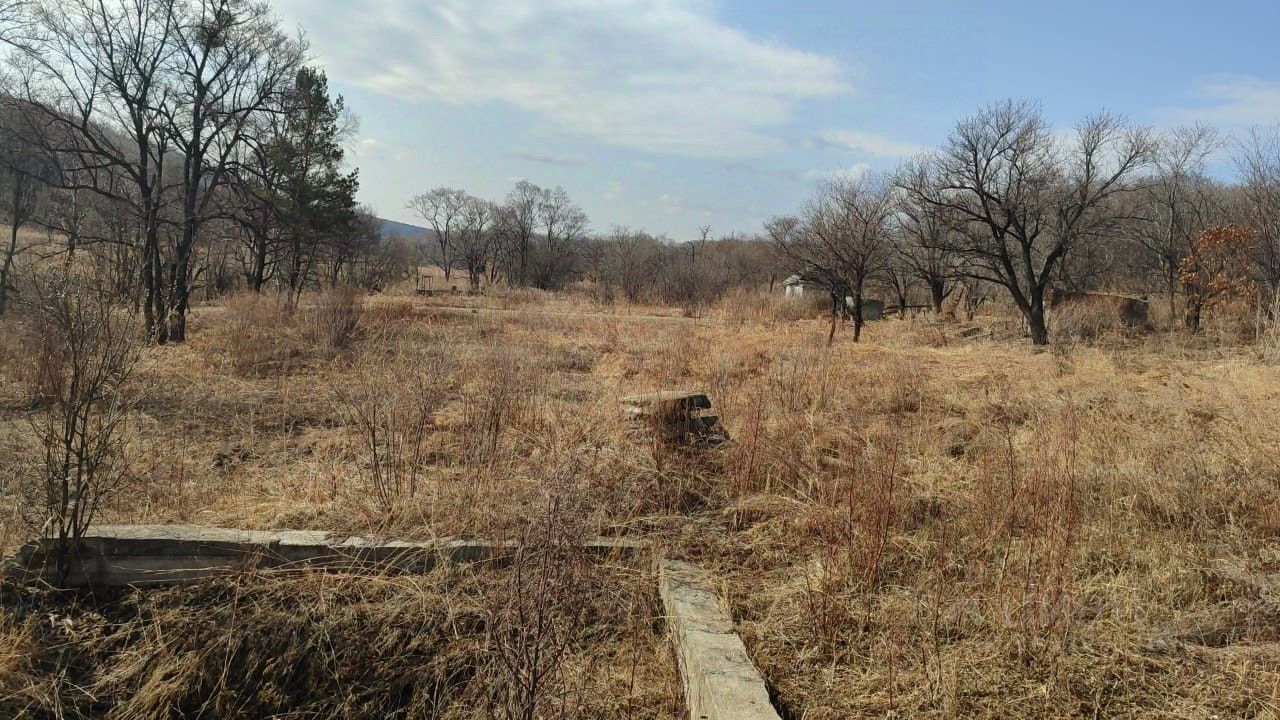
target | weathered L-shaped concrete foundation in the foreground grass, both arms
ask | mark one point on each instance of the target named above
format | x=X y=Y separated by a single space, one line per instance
x=720 y=681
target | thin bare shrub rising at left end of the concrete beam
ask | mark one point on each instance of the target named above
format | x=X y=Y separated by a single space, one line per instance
x=86 y=354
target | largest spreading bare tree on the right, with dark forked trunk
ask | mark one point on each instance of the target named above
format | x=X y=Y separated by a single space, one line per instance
x=1025 y=199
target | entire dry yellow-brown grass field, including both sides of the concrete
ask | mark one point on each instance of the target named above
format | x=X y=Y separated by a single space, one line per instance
x=920 y=526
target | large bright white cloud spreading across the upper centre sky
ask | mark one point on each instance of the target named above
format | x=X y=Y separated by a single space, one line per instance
x=655 y=75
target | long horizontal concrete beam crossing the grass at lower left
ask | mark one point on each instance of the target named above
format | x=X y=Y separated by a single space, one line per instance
x=117 y=557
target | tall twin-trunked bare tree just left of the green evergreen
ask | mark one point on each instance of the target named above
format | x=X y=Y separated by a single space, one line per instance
x=147 y=102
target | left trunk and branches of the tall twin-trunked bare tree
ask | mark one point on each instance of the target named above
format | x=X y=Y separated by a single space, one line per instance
x=97 y=71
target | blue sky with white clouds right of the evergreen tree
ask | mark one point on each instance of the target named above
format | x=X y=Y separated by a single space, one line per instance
x=674 y=115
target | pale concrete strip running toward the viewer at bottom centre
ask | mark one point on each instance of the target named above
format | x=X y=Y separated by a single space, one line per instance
x=721 y=682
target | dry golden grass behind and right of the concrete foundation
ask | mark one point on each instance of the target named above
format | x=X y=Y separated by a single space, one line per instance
x=921 y=525
